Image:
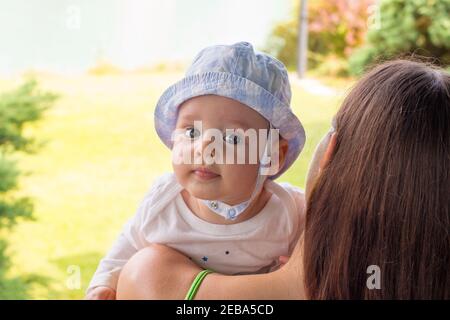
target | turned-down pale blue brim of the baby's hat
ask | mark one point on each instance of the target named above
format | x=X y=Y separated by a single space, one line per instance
x=231 y=86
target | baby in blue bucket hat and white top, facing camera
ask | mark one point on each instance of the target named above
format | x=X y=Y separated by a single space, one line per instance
x=232 y=132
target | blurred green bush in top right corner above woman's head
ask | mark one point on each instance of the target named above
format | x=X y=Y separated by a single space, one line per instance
x=403 y=27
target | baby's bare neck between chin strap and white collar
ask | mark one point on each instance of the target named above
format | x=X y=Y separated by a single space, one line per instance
x=203 y=212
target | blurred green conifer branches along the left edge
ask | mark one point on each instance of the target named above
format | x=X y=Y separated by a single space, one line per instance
x=17 y=109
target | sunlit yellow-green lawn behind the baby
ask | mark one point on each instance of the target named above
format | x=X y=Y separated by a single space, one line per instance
x=101 y=156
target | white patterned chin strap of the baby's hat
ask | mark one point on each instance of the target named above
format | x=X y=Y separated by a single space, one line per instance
x=232 y=212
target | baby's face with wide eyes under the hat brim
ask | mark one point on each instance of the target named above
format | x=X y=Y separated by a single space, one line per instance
x=216 y=178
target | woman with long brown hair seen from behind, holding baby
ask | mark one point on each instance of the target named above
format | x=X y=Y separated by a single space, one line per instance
x=378 y=195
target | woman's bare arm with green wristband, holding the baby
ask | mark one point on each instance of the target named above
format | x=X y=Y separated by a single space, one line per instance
x=159 y=272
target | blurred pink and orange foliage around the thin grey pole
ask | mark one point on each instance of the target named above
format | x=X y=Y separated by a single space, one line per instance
x=336 y=28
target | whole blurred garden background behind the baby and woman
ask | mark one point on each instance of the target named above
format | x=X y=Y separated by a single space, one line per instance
x=79 y=81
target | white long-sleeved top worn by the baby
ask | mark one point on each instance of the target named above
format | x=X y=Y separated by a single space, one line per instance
x=251 y=246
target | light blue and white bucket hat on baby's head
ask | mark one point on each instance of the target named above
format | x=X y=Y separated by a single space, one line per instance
x=235 y=71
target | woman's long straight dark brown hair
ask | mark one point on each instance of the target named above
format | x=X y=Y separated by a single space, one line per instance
x=384 y=197
